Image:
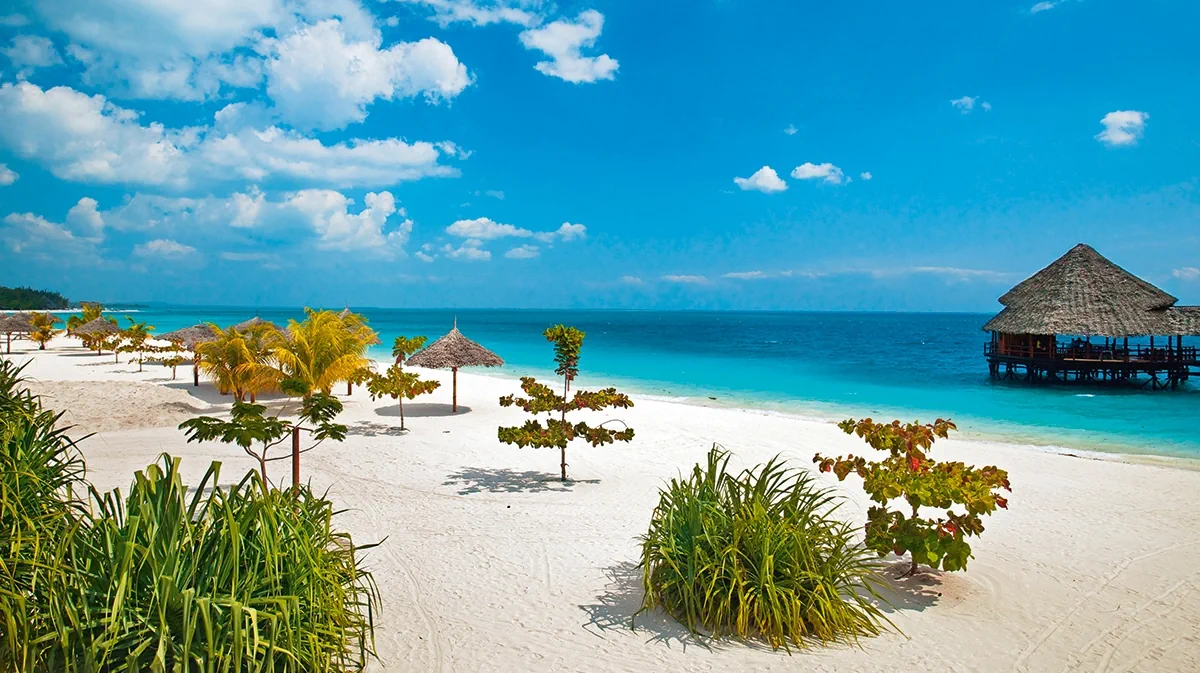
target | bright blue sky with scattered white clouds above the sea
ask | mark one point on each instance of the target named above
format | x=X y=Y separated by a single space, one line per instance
x=711 y=154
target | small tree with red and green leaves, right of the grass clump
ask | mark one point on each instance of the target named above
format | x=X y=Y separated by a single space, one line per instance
x=909 y=473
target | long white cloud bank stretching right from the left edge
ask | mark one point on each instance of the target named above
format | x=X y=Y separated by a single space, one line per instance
x=89 y=140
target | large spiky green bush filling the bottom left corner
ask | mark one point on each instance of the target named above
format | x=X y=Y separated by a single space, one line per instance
x=167 y=579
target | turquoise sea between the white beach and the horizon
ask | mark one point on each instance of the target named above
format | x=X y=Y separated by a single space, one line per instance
x=830 y=365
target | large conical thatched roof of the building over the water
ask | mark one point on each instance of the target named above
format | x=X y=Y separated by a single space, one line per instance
x=1083 y=293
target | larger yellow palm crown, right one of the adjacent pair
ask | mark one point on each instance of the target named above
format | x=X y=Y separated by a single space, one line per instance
x=320 y=353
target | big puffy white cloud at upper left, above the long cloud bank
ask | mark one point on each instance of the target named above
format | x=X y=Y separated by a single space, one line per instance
x=321 y=79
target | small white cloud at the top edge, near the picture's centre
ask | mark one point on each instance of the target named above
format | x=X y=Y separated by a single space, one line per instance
x=563 y=43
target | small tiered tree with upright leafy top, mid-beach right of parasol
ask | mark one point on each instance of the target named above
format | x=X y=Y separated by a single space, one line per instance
x=543 y=400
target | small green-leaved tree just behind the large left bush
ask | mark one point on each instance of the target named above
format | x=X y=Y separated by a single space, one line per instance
x=257 y=434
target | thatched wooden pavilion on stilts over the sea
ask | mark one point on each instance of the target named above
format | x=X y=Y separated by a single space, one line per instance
x=1053 y=323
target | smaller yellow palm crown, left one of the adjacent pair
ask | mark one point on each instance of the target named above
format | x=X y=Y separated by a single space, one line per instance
x=241 y=362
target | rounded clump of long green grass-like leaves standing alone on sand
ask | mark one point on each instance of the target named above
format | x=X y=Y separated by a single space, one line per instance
x=759 y=555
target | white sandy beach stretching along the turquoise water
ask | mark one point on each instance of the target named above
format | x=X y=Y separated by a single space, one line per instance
x=491 y=564
